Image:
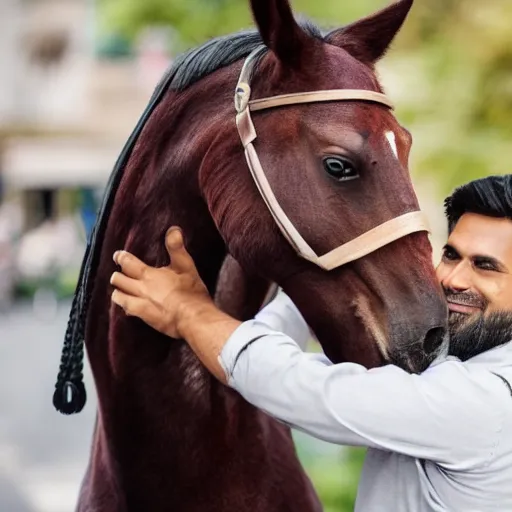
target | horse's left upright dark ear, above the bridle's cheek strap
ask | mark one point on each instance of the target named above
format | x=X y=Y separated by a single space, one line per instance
x=279 y=30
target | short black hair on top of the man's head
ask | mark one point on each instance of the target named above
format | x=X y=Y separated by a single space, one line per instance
x=491 y=196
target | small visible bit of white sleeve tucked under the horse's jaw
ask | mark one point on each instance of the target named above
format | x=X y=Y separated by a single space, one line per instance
x=282 y=315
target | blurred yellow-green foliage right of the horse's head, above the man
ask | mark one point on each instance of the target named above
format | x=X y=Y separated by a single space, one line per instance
x=452 y=81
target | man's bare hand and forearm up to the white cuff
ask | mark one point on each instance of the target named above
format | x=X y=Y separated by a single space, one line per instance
x=174 y=301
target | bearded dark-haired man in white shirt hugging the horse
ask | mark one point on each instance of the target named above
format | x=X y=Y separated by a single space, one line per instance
x=439 y=441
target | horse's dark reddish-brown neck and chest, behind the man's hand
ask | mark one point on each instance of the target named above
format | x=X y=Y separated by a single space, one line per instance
x=152 y=388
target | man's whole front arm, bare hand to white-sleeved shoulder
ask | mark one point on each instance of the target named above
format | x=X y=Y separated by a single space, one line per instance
x=442 y=415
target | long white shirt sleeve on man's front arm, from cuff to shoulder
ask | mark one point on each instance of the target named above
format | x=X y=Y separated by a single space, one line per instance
x=440 y=415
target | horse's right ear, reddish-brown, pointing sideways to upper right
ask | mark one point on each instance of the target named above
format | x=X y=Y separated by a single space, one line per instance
x=368 y=39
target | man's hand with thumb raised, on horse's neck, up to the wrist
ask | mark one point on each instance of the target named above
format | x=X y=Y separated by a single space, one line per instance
x=161 y=297
